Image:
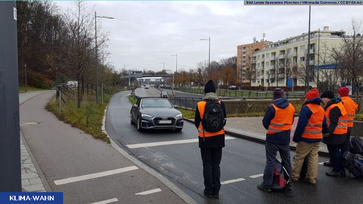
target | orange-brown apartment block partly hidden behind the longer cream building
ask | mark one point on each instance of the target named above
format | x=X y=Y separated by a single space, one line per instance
x=244 y=59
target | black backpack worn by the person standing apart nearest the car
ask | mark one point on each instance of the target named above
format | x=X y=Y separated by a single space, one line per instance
x=213 y=118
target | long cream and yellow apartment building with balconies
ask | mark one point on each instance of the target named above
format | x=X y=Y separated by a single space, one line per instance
x=283 y=63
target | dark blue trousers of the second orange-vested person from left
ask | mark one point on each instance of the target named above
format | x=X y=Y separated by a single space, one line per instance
x=271 y=152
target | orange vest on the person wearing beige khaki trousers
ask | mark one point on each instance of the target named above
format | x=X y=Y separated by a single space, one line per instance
x=314 y=127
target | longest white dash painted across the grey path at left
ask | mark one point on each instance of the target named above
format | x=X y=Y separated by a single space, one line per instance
x=95 y=175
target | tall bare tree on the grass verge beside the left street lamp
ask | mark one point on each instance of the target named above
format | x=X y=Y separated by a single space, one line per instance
x=78 y=47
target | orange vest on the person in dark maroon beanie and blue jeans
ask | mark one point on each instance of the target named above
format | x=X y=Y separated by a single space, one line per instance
x=283 y=119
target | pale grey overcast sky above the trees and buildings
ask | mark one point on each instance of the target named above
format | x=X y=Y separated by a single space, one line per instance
x=144 y=34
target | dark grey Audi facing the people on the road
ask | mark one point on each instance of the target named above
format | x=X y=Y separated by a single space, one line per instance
x=156 y=113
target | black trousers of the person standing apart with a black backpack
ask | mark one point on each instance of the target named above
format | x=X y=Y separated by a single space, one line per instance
x=211 y=158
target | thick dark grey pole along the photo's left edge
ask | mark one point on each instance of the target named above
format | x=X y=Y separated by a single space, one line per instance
x=10 y=171
